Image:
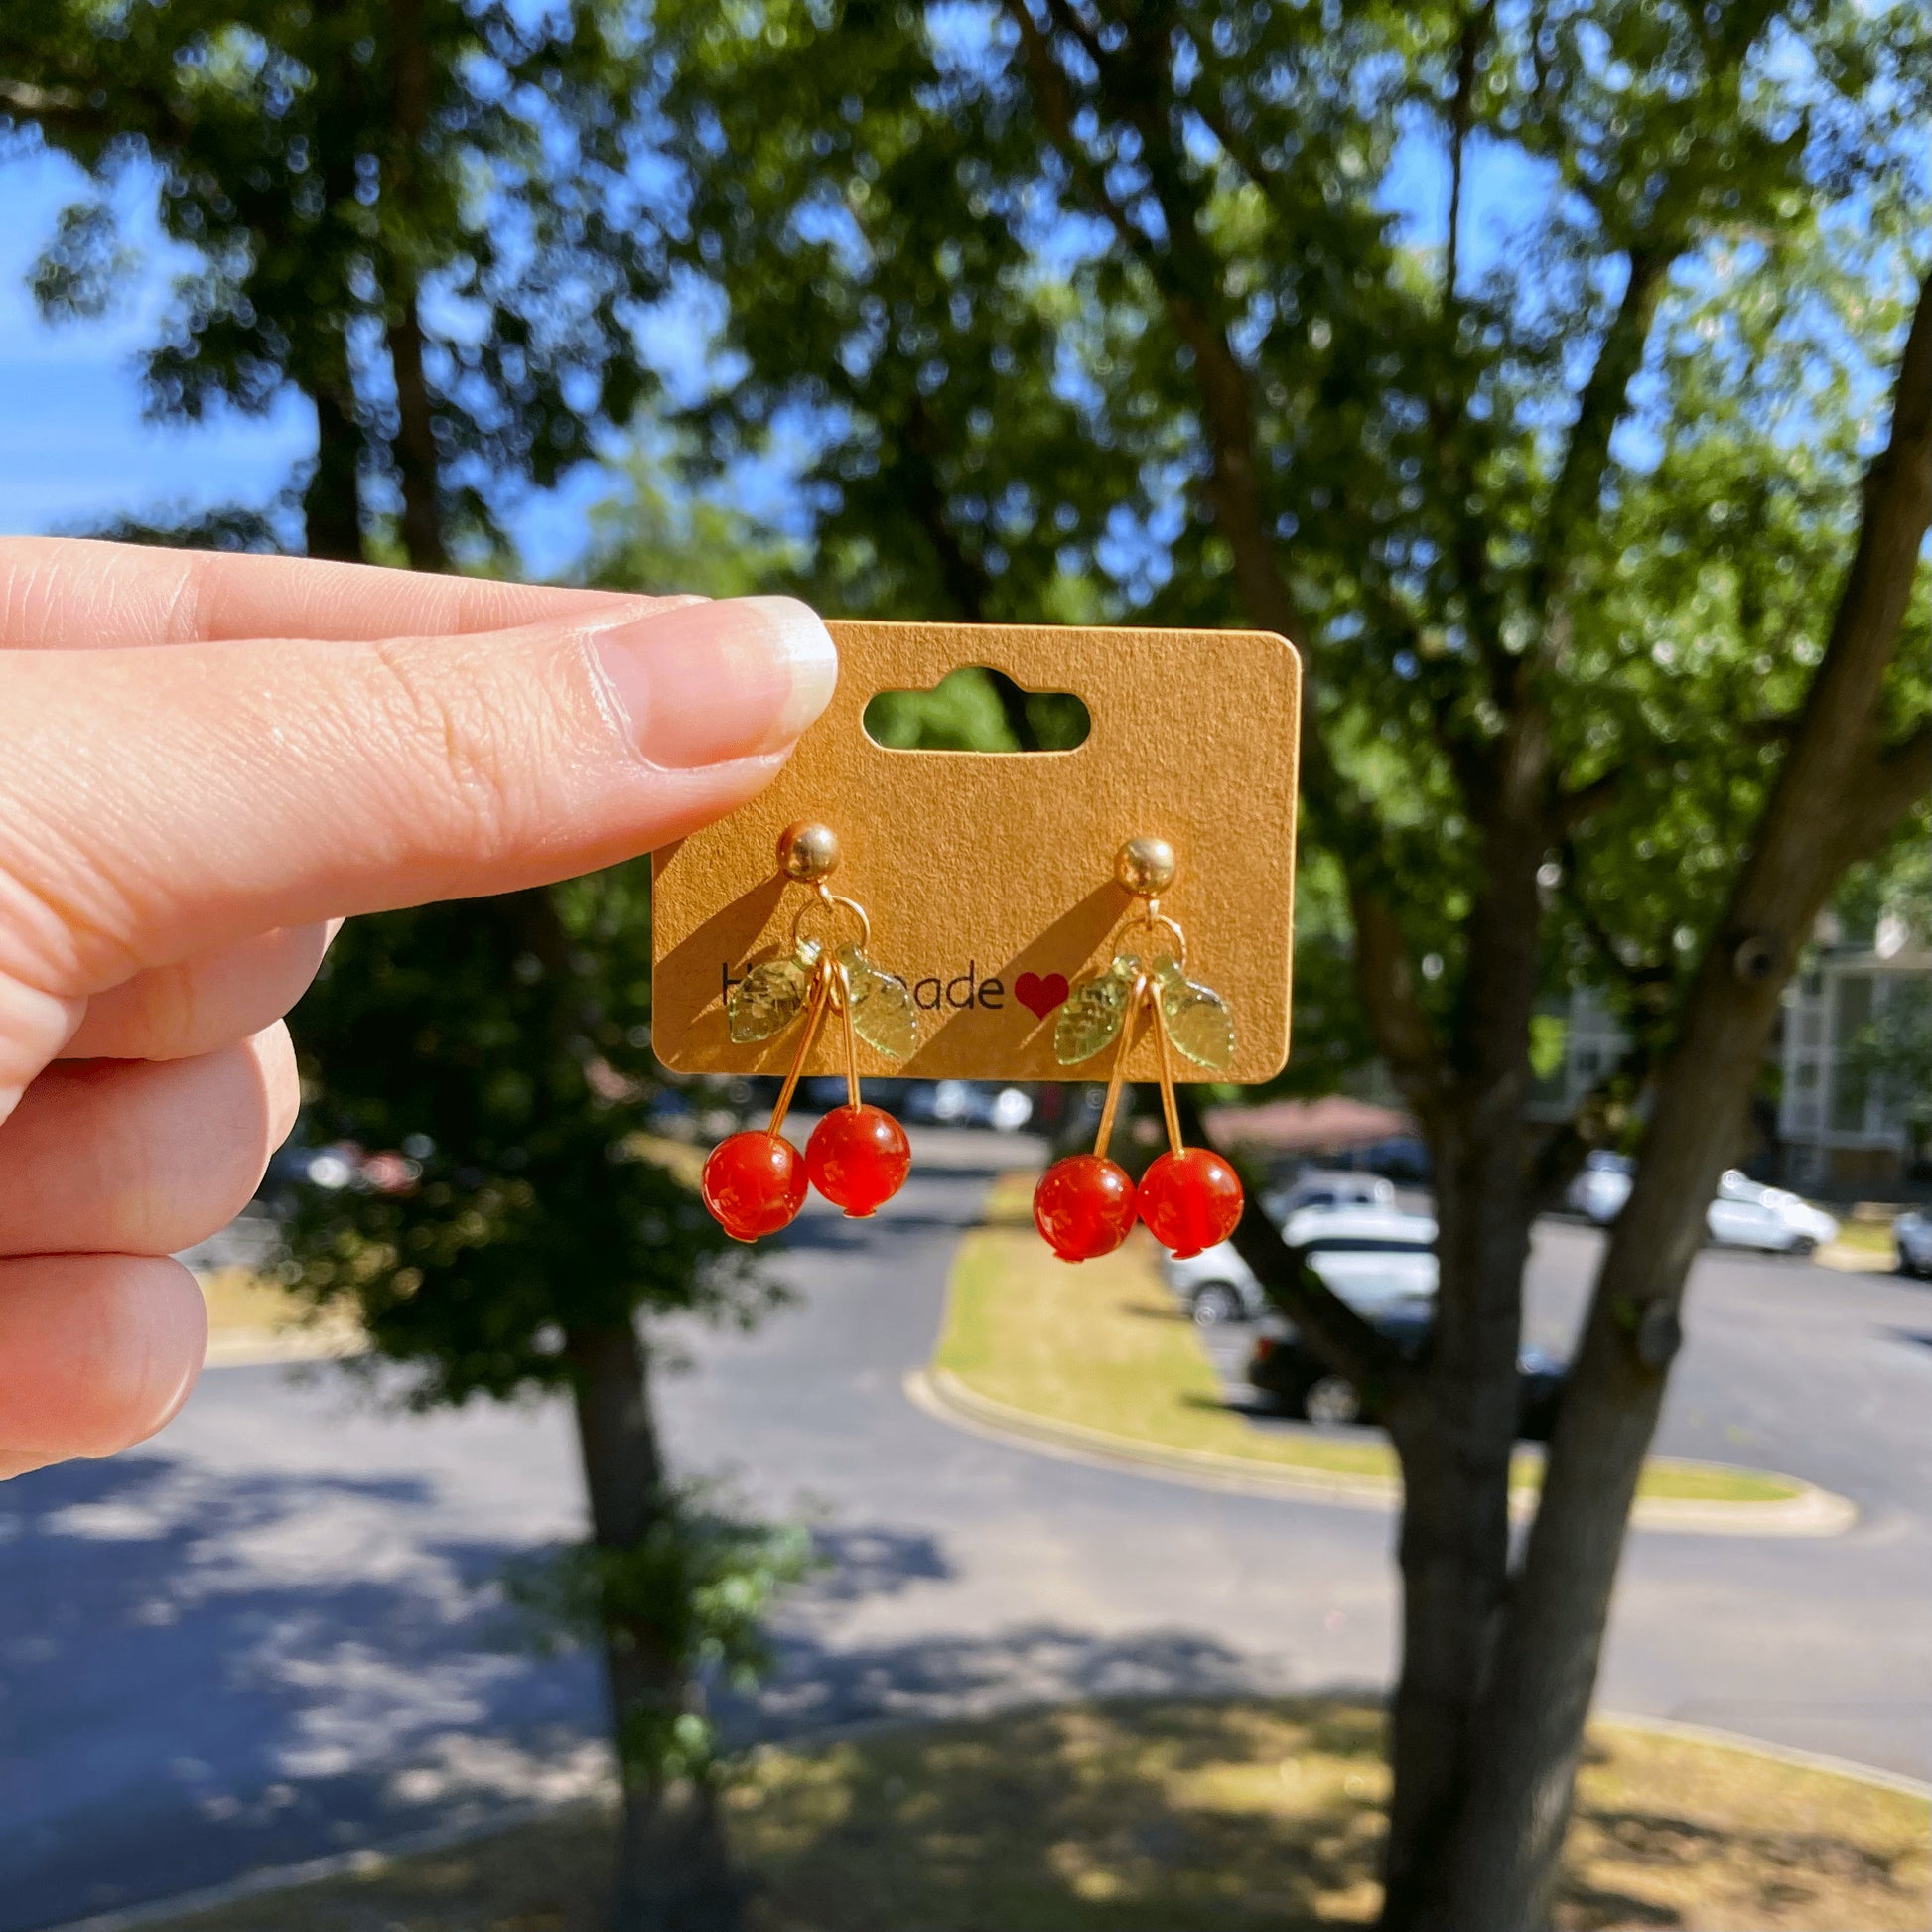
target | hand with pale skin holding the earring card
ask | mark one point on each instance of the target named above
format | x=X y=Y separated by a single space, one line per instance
x=206 y=760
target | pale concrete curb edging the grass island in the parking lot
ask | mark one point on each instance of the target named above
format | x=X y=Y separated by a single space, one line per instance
x=940 y=1394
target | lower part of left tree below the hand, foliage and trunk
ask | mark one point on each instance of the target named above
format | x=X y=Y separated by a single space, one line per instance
x=505 y=1048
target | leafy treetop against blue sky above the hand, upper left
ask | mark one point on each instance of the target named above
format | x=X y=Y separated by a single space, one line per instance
x=416 y=213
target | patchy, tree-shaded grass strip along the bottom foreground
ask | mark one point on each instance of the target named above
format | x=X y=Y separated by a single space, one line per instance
x=1172 y=1817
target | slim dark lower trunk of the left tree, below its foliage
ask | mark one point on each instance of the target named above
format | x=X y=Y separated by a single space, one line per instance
x=673 y=1869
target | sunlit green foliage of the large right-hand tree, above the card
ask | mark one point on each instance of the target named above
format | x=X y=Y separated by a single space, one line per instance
x=1593 y=484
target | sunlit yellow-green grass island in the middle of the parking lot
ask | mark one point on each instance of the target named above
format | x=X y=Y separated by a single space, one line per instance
x=1104 y=1346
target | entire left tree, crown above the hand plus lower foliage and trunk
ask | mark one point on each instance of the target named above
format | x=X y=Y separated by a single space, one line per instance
x=424 y=217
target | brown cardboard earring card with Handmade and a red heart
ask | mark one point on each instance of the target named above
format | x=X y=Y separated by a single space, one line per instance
x=990 y=878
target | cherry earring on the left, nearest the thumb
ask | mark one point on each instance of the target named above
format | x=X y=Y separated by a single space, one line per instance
x=859 y=1156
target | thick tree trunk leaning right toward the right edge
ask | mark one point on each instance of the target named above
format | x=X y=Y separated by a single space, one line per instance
x=1836 y=797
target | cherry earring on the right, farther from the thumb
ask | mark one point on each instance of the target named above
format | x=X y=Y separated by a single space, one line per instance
x=1189 y=1199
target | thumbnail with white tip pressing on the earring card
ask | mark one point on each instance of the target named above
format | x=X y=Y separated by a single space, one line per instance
x=718 y=681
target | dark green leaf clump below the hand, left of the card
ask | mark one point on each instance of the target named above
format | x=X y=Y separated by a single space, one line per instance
x=505 y=1044
